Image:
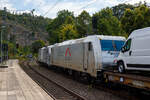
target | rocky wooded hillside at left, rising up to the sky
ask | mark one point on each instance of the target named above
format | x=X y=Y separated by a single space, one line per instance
x=24 y=29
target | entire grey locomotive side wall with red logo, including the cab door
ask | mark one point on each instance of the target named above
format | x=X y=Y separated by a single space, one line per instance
x=79 y=57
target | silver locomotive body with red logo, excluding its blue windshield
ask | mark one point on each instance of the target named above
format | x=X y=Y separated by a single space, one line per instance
x=83 y=55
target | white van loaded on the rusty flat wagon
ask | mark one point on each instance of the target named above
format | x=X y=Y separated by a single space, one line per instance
x=135 y=54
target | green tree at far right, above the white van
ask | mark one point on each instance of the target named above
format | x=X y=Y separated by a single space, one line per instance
x=136 y=19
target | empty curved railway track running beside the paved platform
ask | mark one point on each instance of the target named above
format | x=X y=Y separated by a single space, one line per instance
x=54 y=89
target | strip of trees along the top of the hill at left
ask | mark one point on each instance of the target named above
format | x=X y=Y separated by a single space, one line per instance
x=28 y=20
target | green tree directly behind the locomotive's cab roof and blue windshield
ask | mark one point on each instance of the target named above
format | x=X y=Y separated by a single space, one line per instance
x=107 y=24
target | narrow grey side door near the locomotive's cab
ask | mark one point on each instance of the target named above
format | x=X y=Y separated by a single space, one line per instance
x=85 y=56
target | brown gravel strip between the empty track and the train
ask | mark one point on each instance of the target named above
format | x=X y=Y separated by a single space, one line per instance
x=85 y=90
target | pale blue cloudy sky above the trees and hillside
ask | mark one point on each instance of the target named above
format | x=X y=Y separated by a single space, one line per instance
x=49 y=8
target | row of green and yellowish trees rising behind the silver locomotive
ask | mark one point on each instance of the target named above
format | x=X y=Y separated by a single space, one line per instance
x=119 y=20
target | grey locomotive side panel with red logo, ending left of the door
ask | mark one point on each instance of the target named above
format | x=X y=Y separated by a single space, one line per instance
x=68 y=56
